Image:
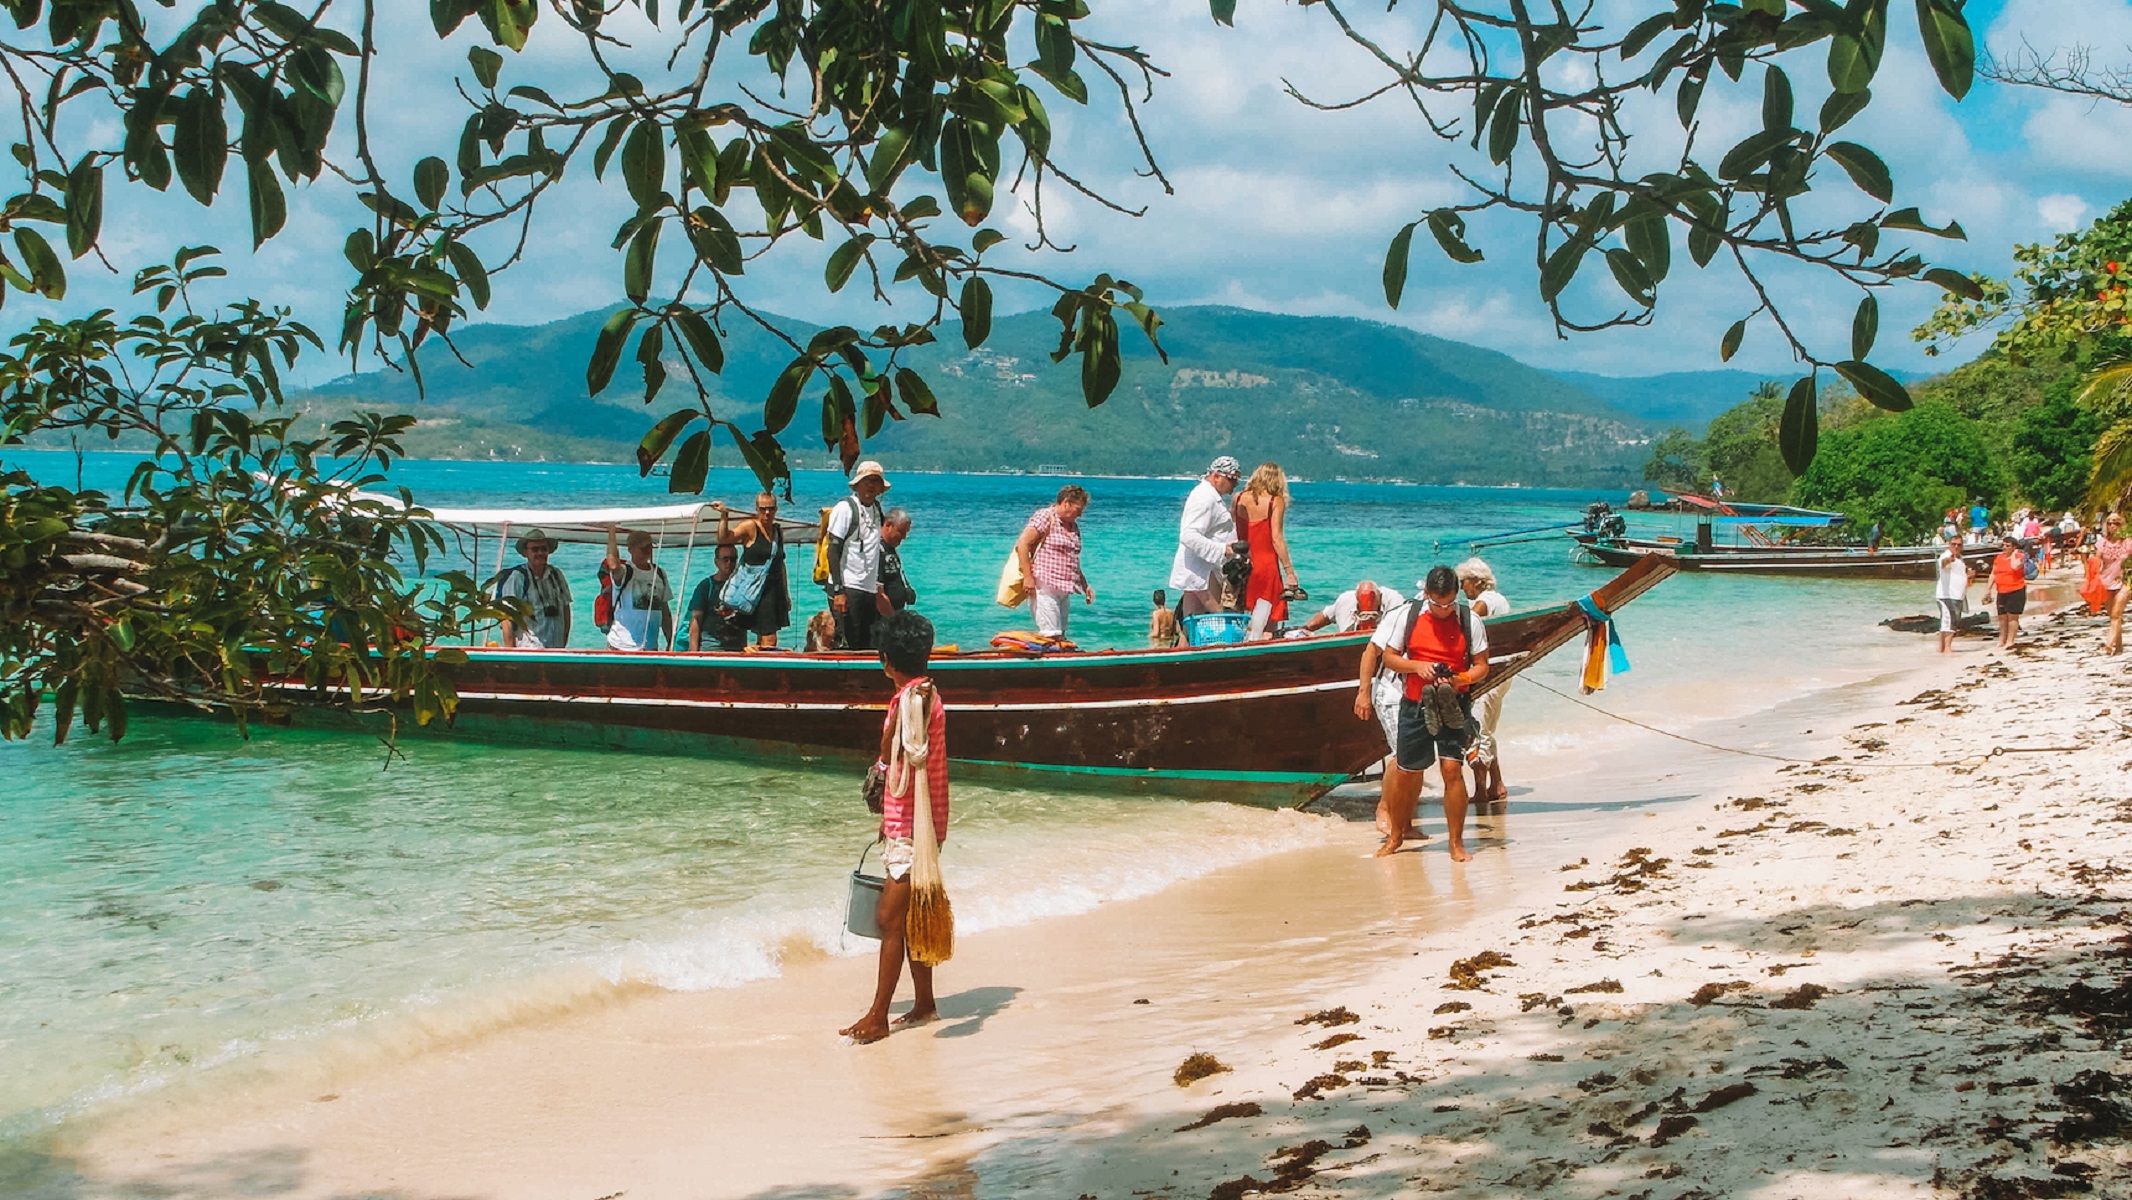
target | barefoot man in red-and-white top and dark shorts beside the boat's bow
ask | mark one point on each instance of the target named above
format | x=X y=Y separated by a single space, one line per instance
x=1442 y=651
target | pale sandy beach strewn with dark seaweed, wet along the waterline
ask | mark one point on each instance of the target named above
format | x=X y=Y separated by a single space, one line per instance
x=1726 y=977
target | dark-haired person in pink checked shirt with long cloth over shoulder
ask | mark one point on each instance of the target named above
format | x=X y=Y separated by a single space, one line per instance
x=907 y=645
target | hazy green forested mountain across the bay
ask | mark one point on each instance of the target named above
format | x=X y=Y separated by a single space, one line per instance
x=1321 y=395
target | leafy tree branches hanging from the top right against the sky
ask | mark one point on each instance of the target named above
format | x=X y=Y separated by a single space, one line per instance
x=1540 y=91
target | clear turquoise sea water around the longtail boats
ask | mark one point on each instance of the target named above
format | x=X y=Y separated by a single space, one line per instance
x=191 y=905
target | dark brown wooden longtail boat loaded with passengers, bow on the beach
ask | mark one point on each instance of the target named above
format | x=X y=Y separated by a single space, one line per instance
x=1261 y=724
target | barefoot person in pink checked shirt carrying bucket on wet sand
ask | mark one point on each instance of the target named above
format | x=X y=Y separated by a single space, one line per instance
x=916 y=773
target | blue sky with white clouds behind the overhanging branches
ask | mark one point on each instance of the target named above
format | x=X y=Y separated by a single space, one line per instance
x=1274 y=206
